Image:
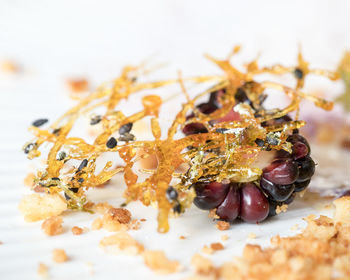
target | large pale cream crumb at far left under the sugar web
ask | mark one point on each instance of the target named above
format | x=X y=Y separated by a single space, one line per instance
x=37 y=207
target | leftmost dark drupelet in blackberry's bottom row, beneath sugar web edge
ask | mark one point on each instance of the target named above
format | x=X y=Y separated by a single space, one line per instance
x=210 y=195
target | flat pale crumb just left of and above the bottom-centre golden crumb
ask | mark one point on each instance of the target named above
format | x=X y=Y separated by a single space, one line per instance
x=121 y=242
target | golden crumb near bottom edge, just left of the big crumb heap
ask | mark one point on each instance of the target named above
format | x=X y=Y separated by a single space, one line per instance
x=159 y=263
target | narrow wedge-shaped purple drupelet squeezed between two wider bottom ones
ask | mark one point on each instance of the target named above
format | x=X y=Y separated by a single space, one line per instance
x=228 y=210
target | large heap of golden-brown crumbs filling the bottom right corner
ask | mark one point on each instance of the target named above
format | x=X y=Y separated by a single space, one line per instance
x=321 y=251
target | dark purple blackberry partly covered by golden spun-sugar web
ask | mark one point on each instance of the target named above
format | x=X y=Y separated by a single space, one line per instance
x=253 y=202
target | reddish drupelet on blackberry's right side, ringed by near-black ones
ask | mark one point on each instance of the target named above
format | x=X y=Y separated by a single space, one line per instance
x=281 y=172
